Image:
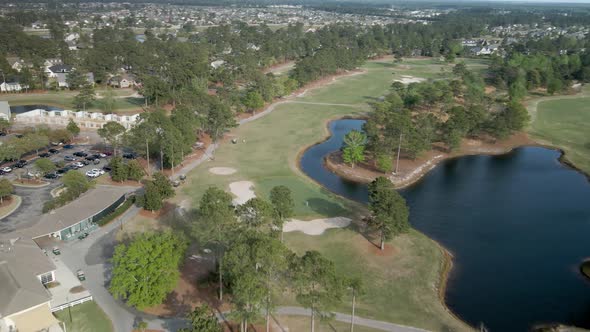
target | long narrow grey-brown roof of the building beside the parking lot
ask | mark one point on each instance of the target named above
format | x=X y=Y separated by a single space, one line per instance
x=90 y=203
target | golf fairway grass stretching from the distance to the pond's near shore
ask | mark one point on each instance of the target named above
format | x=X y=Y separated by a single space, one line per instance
x=402 y=287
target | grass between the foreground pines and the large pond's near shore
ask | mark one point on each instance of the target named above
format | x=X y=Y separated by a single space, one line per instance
x=401 y=286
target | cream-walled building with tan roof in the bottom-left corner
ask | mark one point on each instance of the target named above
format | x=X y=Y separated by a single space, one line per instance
x=24 y=270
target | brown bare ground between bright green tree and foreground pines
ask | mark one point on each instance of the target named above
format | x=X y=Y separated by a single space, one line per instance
x=192 y=288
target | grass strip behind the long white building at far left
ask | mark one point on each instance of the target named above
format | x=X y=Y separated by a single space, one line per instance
x=64 y=99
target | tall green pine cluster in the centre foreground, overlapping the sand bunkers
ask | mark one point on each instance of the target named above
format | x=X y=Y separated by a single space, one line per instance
x=254 y=264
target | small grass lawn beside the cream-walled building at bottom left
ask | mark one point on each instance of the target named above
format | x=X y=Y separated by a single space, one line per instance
x=86 y=317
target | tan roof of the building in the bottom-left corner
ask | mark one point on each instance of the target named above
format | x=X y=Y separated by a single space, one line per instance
x=21 y=261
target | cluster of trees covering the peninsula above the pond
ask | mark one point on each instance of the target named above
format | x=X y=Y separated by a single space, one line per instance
x=411 y=118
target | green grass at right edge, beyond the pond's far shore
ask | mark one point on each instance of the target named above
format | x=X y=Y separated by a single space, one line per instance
x=565 y=123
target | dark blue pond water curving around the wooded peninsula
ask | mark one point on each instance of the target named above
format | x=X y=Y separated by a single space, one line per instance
x=518 y=226
